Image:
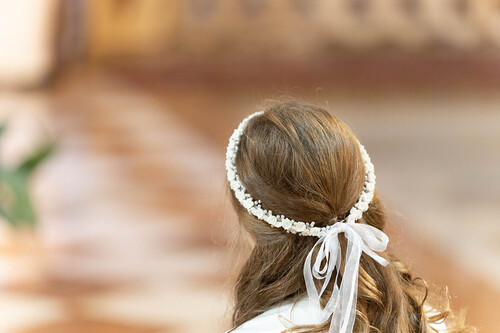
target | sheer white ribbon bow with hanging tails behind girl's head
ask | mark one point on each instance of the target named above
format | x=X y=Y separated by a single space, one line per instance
x=342 y=303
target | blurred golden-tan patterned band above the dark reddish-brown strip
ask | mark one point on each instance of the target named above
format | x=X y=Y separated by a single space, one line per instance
x=287 y=28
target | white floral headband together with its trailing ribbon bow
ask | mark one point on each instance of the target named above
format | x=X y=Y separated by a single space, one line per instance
x=341 y=306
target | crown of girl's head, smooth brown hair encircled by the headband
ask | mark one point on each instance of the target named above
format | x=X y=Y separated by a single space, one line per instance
x=300 y=162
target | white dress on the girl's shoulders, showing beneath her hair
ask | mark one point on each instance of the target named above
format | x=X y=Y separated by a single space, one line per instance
x=279 y=318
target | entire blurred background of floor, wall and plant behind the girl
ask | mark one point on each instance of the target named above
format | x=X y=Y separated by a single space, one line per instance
x=114 y=215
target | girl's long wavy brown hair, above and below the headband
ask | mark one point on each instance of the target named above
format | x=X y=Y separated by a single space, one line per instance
x=302 y=162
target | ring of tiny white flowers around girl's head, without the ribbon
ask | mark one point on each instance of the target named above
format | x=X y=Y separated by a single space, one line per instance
x=254 y=207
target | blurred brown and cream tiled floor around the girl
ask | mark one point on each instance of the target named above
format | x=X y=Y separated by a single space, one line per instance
x=133 y=214
